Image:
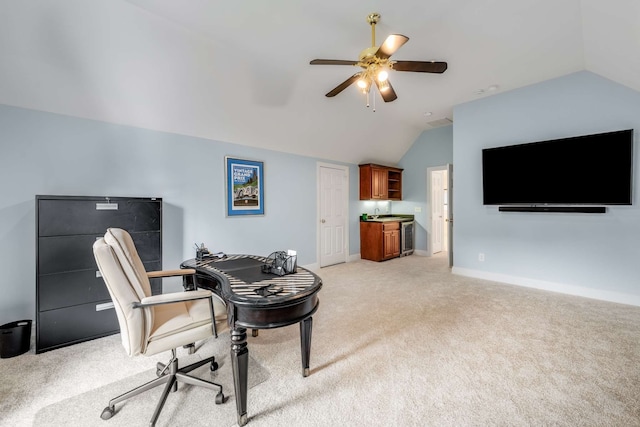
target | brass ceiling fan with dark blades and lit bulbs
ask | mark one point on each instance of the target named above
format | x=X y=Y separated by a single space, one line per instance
x=376 y=65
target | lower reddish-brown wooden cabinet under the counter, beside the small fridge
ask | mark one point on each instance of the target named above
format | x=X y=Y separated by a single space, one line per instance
x=379 y=241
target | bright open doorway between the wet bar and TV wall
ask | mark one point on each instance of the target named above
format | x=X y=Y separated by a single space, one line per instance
x=439 y=201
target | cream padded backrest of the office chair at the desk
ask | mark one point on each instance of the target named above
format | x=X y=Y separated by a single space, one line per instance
x=127 y=282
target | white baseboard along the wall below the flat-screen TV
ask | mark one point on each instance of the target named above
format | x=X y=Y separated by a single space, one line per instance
x=562 y=288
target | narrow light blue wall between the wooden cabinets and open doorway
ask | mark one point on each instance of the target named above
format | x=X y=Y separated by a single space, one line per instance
x=432 y=148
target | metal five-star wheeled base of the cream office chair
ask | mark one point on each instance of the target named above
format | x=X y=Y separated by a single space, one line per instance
x=169 y=375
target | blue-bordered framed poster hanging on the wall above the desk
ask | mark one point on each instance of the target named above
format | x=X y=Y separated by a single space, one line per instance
x=245 y=187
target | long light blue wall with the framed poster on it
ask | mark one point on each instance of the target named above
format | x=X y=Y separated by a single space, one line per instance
x=44 y=153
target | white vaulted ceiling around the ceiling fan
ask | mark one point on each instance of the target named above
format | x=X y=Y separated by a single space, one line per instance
x=238 y=71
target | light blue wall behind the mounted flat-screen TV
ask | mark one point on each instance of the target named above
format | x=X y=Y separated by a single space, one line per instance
x=595 y=255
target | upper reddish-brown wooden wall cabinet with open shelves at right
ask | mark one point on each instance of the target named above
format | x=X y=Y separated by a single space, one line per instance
x=379 y=182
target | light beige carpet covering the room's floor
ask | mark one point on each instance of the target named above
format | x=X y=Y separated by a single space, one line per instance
x=398 y=343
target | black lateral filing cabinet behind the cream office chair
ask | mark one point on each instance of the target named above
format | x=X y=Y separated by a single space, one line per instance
x=72 y=301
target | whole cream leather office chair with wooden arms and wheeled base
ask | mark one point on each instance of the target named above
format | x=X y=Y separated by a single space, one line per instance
x=154 y=324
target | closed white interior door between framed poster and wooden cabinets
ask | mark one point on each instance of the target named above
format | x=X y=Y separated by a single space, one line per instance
x=333 y=195
